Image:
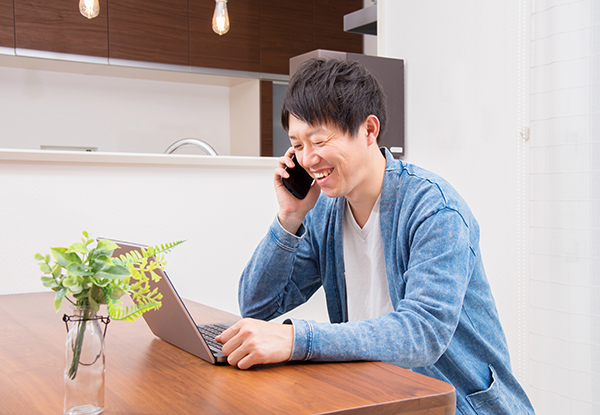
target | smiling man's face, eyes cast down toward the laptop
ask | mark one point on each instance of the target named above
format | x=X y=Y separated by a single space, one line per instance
x=337 y=161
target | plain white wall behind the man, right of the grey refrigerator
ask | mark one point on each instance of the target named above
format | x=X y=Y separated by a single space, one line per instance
x=462 y=120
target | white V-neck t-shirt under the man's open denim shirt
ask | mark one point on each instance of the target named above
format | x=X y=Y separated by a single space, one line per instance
x=367 y=291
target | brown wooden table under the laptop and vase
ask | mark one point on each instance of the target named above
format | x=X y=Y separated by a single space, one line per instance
x=145 y=375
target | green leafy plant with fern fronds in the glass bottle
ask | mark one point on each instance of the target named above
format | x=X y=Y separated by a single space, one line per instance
x=92 y=276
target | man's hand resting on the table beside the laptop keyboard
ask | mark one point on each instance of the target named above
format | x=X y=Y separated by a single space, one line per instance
x=250 y=342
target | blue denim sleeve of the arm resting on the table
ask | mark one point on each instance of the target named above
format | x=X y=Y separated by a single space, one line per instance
x=418 y=332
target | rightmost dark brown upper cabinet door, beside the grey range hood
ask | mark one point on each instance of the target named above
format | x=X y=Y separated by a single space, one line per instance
x=329 y=26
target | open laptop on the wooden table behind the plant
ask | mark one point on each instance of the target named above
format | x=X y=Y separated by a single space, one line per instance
x=173 y=323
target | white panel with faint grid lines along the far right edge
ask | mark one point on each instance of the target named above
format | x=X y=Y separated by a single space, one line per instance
x=564 y=205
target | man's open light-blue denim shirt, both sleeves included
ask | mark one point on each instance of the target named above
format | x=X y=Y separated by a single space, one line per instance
x=445 y=324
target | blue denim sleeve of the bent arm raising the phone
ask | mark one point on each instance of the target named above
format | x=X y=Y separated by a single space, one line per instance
x=280 y=276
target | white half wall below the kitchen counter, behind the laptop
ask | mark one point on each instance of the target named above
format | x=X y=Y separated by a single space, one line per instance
x=222 y=212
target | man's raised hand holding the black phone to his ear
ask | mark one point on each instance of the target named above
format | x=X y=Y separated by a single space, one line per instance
x=292 y=210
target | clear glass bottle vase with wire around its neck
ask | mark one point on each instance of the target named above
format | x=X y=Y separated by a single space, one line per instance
x=84 y=364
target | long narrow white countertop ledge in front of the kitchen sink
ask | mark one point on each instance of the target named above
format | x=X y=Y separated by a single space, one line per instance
x=152 y=159
